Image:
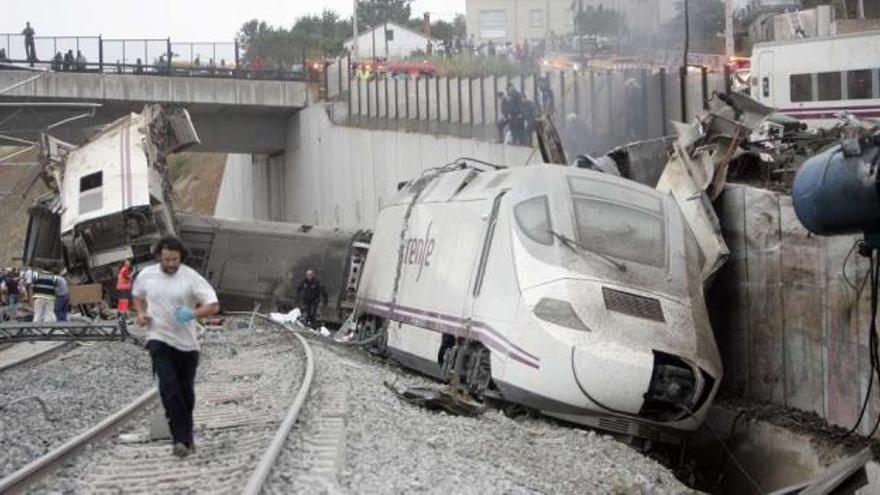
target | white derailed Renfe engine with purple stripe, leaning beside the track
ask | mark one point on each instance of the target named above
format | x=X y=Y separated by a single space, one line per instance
x=569 y=291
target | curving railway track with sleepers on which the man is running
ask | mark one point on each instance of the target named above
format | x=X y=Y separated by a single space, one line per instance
x=250 y=388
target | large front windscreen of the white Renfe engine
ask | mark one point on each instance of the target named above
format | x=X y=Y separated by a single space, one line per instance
x=621 y=231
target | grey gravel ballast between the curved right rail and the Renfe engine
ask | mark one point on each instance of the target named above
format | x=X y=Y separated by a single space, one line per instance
x=393 y=447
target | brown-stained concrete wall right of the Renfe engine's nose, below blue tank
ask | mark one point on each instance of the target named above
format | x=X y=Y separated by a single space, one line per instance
x=791 y=311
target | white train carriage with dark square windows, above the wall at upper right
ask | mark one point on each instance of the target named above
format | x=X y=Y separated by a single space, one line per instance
x=815 y=79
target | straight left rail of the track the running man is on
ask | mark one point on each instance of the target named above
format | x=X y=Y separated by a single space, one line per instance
x=18 y=481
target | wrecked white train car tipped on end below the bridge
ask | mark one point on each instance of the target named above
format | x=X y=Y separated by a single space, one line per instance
x=112 y=199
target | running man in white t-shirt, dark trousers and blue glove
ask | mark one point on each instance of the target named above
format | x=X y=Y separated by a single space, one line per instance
x=167 y=298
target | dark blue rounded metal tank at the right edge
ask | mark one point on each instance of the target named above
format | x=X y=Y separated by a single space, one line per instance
x=836 y=194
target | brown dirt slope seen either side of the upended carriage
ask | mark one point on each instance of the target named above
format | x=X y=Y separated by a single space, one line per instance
x=196 y=178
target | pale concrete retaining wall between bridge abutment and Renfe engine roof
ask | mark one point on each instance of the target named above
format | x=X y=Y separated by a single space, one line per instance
x=338 y=176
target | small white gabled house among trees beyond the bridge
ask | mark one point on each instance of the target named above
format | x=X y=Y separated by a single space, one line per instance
x=401 y=42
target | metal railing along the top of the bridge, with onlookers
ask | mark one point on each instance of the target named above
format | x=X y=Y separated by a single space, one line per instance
x=141 y=56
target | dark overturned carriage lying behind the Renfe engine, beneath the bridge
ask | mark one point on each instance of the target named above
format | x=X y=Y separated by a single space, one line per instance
x=250 y=262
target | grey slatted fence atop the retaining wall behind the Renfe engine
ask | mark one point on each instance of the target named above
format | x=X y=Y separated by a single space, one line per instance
x=593 y=110
